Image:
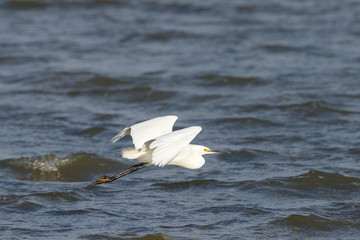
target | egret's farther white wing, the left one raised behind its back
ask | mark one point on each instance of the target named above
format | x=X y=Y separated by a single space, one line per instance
x=148 y=130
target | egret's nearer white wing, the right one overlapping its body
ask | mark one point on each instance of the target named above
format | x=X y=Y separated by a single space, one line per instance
x=169 y=145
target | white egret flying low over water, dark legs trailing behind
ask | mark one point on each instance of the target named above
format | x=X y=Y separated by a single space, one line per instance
x=156 y=144
